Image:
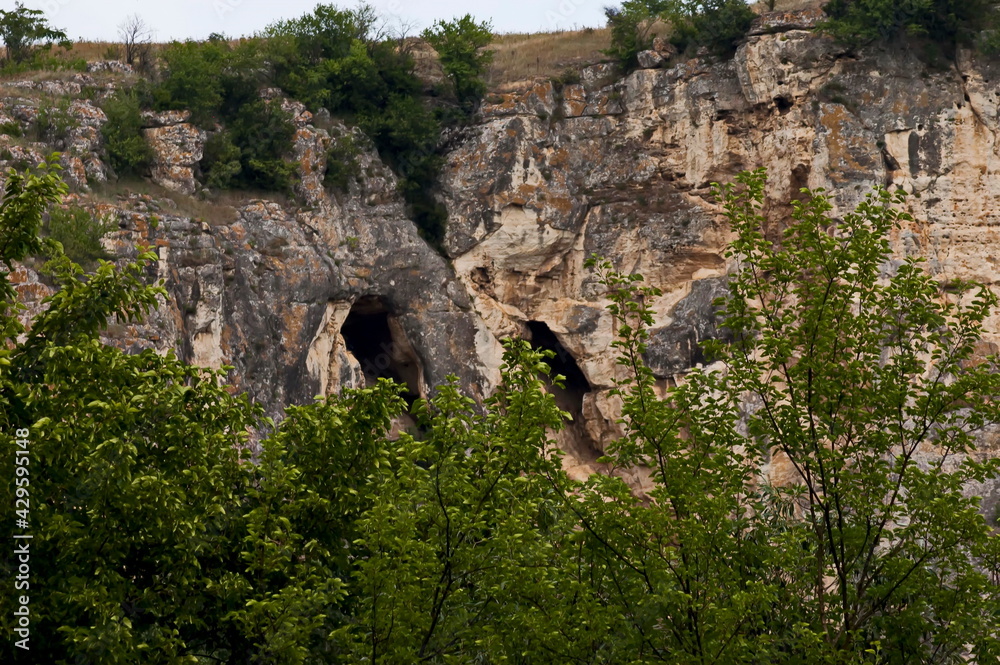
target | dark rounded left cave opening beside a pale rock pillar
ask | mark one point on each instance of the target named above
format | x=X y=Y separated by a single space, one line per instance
x=377 y=341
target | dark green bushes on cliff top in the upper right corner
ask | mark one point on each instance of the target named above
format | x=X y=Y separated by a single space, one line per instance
x=945 y=22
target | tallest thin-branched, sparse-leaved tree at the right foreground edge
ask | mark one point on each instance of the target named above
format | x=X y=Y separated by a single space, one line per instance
x=868 y=389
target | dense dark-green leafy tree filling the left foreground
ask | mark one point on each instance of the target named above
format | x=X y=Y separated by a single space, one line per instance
x=154 y=536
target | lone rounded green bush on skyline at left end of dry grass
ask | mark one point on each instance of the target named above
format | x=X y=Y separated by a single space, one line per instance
x=461 y=44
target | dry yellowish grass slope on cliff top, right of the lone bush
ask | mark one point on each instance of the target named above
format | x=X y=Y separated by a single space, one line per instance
x=522 y=57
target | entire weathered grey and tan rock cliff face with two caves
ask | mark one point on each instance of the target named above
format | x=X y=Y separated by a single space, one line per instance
x=307 y=300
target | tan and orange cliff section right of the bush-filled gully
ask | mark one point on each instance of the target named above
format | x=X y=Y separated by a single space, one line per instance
x=536 y=191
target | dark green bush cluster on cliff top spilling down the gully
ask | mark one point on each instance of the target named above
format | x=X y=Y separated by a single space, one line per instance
x=338 y=59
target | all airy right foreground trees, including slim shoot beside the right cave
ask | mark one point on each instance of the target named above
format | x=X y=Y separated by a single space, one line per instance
x=864 y=386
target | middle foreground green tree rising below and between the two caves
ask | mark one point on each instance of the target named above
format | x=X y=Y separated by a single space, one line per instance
x=459 y=515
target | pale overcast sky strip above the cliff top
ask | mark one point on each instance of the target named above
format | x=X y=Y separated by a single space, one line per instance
x=182 y=19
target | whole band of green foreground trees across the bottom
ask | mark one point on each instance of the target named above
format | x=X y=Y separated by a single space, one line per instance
x=156 y=539
